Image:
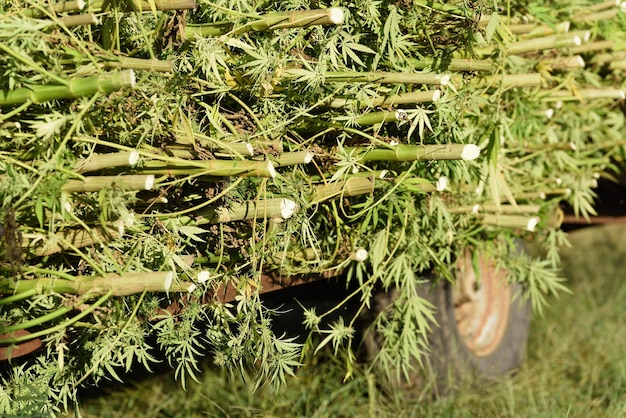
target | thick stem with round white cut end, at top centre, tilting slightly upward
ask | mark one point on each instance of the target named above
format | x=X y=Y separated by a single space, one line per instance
x=270 y=21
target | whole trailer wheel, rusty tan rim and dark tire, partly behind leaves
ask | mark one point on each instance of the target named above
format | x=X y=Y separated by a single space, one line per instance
x=483 y=324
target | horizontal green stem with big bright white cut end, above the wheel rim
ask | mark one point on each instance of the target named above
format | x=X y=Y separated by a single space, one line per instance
x=417 y=152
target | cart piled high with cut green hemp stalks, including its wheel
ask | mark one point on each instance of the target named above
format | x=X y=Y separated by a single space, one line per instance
x=257 y=182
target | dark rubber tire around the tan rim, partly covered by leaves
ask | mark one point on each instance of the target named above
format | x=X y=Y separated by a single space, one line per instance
x=450 y=365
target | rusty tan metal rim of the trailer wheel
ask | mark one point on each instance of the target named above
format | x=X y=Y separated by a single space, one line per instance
x=481 y=304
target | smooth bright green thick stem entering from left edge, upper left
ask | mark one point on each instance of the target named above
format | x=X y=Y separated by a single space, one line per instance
x=77 y=87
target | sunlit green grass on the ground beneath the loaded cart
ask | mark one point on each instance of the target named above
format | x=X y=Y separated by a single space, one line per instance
x=576 y=365
